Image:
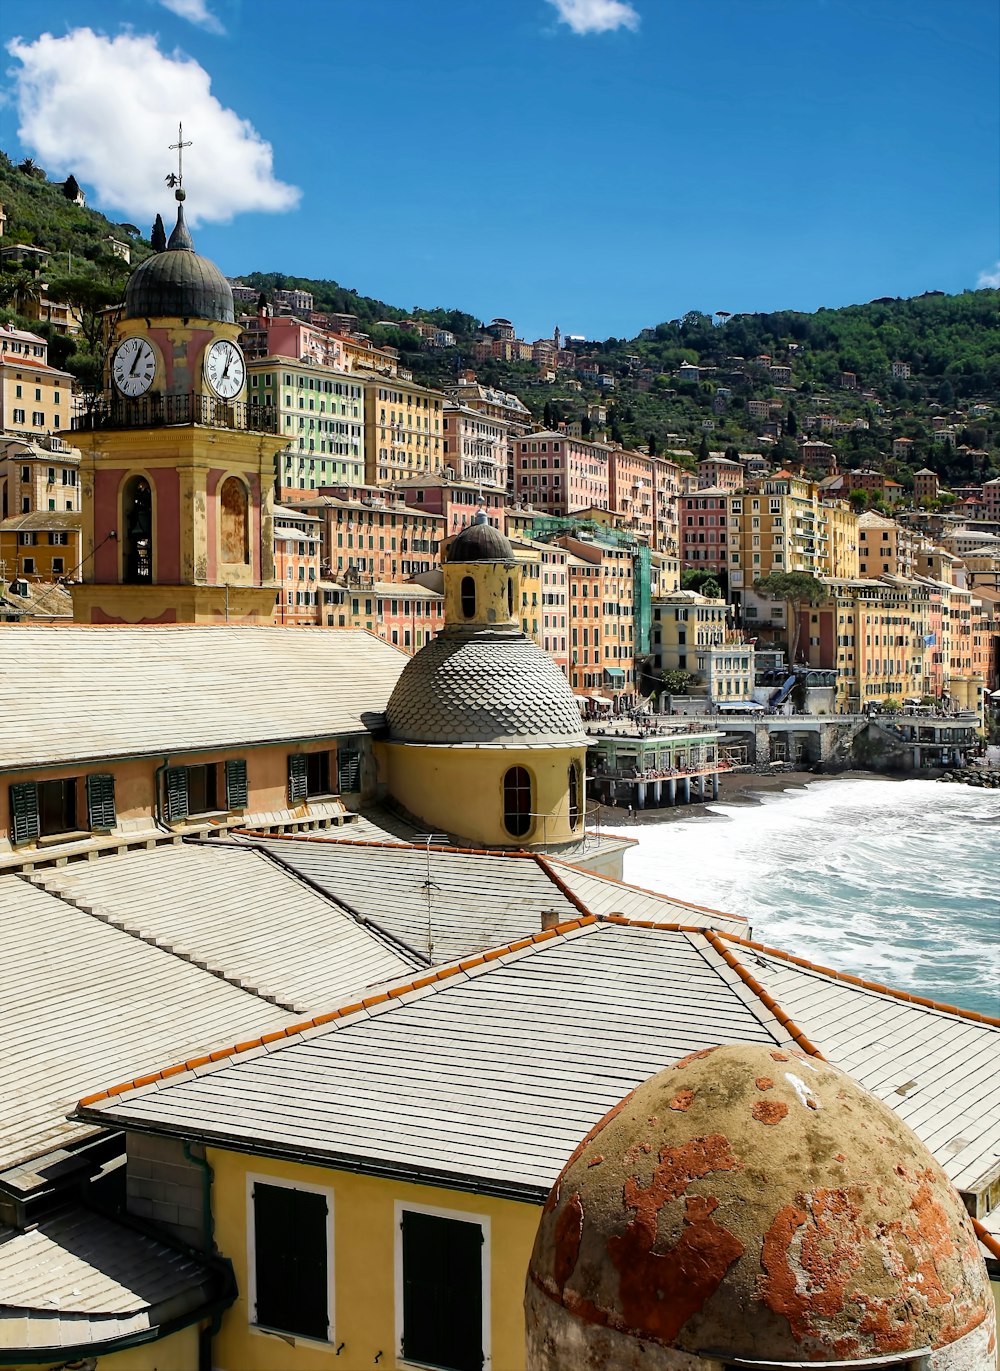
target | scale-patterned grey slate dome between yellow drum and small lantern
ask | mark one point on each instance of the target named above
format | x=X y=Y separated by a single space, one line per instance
x=485 y=688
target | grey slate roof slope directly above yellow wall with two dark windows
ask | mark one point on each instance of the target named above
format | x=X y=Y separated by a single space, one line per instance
x=490 y=1076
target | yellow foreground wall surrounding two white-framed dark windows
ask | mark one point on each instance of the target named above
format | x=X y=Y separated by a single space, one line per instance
x=364 y=1284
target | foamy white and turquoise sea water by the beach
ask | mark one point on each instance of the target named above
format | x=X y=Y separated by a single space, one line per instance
x=898 y=882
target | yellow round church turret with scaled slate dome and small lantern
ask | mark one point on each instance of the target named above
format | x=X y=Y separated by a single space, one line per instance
x=485 y=737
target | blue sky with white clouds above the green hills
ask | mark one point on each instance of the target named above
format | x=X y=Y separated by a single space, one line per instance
x=602 y=165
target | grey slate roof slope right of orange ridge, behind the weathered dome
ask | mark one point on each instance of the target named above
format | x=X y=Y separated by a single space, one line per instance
x=939 y=1071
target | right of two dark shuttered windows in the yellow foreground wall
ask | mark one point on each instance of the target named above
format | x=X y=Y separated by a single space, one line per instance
x=442 y=1292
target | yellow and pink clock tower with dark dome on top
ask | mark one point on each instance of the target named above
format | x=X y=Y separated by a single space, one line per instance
x=178 y=467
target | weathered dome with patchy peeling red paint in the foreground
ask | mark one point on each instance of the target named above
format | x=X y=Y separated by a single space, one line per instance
x=757 y=1206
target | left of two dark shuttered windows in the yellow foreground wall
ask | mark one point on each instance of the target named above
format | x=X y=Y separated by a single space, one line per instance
x=291 y=1276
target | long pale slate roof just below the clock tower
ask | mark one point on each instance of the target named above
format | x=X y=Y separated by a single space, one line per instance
x=90 y=693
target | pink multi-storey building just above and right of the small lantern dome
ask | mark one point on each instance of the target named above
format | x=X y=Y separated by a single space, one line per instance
x=562 y=475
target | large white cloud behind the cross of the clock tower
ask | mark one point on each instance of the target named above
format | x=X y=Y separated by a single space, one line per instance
x=108 y=109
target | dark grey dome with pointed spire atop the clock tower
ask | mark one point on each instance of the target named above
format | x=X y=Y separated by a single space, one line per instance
x=179 y=284
